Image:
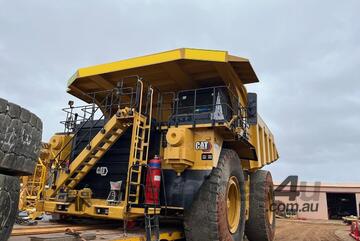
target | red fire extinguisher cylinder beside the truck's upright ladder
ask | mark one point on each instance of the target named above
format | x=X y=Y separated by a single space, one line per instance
x=153 y=181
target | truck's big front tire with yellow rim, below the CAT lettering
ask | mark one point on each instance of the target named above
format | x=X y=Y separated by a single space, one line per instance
x=218 y=211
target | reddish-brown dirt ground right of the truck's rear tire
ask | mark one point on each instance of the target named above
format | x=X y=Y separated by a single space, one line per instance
x=291 y=230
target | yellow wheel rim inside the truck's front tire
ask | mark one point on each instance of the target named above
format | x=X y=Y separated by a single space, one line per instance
x=233 y=204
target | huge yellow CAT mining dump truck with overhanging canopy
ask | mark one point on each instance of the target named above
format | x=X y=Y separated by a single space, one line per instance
x=172 y=134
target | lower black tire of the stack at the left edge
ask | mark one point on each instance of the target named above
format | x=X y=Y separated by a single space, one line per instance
x=9 y=200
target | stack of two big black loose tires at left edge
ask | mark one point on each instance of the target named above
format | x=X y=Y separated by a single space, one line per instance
x=20 y=140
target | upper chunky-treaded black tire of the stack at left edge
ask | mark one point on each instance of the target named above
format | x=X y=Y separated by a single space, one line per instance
x=20 y=139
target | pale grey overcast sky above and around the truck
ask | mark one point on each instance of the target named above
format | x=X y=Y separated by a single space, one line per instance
x=306 y=55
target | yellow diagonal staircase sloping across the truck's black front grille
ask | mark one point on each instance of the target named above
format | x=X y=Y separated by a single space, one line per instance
x=90 y=155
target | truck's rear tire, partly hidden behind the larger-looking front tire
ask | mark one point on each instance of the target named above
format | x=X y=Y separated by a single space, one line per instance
x=261 y=224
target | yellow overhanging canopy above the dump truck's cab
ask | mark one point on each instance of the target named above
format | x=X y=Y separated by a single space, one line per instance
x=173 y=70
